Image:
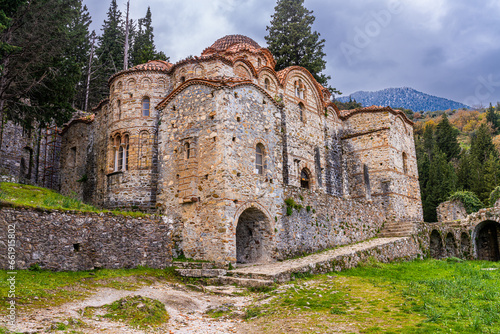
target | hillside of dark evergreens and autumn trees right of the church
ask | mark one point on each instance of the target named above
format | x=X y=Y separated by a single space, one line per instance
x=458 y=151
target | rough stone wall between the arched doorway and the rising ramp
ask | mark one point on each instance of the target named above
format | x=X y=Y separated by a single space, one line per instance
x=325 y=221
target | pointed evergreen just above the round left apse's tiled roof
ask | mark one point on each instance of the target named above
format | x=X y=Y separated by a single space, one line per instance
x=144 y=49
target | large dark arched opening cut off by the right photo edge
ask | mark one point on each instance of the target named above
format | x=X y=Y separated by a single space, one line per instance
x=487 y=243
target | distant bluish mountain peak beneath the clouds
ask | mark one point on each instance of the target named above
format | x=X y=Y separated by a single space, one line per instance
x=405 y=97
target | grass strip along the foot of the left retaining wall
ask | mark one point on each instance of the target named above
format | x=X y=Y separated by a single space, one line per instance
x=38 y=289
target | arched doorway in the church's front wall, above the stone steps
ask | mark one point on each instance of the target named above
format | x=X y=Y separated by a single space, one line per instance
x=253 y=237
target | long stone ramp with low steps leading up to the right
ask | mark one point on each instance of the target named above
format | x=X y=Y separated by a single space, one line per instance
x=341 y=258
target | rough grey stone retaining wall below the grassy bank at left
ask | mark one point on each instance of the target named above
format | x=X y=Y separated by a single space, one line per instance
x=58 y=240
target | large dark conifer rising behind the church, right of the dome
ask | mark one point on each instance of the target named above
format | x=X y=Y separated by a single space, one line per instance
x=292 y=41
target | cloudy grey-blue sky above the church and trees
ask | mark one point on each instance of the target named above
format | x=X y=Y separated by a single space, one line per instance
x=448 y=48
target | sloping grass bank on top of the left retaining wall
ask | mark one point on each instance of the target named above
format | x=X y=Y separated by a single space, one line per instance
x=36 y=197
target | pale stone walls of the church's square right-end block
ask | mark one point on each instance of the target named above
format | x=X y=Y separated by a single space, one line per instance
x=381 y=163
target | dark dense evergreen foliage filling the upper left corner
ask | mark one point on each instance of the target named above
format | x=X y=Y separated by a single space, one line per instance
x=39 y=78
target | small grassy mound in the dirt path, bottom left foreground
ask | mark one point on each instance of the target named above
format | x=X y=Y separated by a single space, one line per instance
x=138 y=311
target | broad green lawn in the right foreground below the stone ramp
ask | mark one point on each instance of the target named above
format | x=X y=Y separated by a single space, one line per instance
x=428 y=296
